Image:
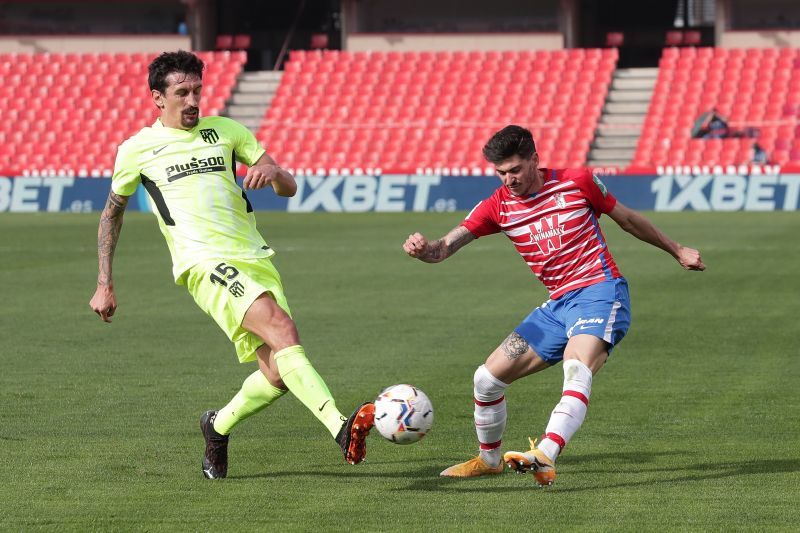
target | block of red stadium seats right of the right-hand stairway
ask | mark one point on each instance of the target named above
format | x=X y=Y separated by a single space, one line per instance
x=741 y=85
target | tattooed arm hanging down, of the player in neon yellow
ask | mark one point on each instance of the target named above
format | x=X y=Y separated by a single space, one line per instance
x=104 y=301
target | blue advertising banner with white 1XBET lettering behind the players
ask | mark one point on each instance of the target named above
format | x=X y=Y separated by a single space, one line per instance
x=758 y=190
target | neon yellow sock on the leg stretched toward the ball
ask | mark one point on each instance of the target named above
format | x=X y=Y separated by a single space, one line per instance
x=304 y=382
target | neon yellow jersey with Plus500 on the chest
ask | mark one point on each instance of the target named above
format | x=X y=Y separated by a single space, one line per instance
x=190 y=178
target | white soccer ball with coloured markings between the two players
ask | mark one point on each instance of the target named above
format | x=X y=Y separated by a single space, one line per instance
x=403 y=414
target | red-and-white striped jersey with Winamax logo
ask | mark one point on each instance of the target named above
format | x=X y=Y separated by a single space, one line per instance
x=555 y=230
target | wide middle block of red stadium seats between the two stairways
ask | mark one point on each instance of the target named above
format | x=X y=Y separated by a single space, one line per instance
x=395 y=103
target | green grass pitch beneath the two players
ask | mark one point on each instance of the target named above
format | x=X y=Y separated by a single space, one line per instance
x=693 y=423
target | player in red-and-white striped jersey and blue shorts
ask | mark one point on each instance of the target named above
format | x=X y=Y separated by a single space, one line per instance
x=551 y=217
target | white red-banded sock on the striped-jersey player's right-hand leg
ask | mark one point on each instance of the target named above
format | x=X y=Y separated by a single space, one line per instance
x=568 y=415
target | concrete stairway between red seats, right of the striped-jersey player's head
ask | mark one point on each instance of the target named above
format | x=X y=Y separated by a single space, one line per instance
x=621 y=121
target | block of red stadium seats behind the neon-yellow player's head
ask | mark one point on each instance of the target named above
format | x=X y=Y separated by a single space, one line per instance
x=68 y=88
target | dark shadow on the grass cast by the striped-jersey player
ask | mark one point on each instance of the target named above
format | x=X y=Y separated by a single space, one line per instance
x=633 y=464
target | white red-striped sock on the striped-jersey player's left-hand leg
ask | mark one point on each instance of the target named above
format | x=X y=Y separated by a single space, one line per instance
x=490 y=414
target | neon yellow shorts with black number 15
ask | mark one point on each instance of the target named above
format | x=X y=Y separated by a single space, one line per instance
x=225 y=290
